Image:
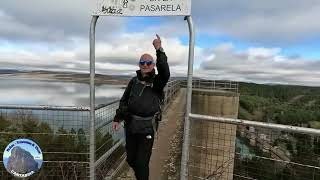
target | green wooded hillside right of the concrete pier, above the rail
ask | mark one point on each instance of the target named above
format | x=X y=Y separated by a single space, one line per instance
x=283 y=104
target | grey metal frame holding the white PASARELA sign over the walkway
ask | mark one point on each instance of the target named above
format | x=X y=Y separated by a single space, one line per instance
x=141 y=8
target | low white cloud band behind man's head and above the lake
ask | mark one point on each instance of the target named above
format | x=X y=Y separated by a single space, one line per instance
x=119 y=53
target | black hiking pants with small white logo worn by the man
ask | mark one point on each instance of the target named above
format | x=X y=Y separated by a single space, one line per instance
x=139 y=149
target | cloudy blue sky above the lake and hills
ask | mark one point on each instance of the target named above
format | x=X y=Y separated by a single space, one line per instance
x=266 y=41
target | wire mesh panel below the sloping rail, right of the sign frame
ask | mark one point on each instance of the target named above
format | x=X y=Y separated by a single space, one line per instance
x=227 y=151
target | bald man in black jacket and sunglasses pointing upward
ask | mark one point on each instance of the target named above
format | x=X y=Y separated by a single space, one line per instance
x=140 y=107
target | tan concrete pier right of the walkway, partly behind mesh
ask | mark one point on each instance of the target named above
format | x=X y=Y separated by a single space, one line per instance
x=212 y=146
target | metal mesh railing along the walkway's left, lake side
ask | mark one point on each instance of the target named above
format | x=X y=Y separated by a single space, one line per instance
x=63 y=136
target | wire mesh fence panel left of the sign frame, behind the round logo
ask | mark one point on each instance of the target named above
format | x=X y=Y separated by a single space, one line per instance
x=62 y=135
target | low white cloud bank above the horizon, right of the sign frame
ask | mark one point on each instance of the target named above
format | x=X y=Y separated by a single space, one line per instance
x=259 y=64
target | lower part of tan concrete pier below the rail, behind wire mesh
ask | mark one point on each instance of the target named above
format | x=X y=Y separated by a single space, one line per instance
x=212 y=150
